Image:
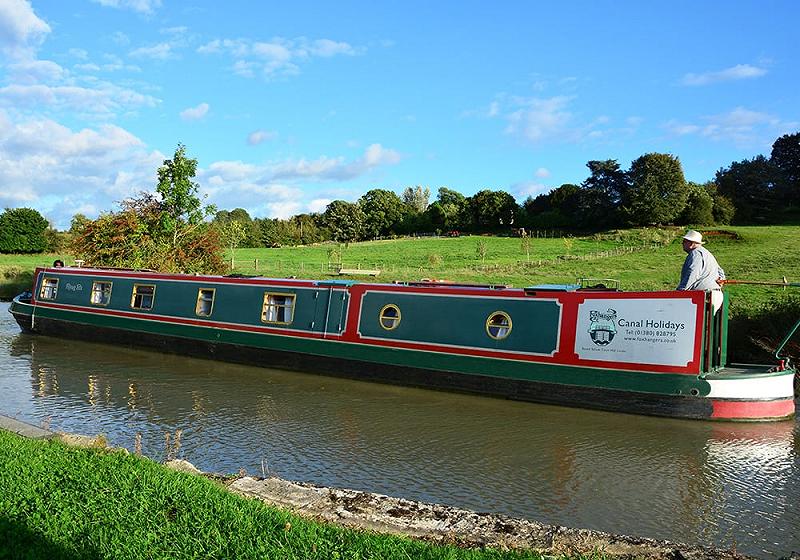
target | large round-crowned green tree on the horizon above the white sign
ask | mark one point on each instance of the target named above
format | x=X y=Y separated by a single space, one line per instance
x=657 y=190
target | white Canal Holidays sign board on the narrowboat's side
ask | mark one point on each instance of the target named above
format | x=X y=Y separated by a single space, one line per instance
x=641 y=331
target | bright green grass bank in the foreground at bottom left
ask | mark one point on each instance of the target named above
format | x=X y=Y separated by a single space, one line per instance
x=64 y=502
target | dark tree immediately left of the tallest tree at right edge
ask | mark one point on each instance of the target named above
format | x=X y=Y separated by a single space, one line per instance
x=752 y=186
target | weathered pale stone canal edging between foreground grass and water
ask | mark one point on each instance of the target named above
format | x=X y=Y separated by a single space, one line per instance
x=432 y=522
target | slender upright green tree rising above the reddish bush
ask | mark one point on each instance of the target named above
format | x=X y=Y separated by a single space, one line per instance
x=182 y=209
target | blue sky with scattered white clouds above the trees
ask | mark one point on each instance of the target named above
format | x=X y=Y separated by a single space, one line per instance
x=290 y=105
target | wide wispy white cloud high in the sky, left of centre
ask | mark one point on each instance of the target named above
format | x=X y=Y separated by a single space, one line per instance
x=277 y=57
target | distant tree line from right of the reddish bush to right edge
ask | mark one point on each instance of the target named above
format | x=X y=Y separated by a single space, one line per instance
x=653 y=191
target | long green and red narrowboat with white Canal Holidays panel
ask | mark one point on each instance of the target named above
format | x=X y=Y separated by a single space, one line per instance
x=656 y=353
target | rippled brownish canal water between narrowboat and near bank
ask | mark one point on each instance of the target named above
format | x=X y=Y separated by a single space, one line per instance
x=723 y=484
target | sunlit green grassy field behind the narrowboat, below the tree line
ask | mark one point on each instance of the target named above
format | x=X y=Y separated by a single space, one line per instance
x=640 y=259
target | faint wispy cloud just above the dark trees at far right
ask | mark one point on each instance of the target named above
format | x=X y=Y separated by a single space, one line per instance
x=743 y=127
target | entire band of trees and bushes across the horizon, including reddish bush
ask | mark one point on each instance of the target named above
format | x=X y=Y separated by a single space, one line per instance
x=172 y=229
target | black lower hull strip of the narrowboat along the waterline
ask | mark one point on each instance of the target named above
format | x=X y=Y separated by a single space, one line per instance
x=532 y=391
